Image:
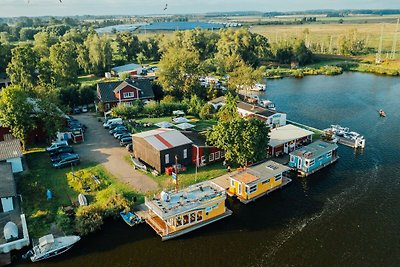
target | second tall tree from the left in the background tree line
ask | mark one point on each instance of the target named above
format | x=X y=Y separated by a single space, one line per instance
x=63 y=62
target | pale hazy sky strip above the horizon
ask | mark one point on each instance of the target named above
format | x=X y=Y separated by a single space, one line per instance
x=10 y=8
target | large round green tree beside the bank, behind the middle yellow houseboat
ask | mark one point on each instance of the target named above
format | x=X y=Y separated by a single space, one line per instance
x=244 y=140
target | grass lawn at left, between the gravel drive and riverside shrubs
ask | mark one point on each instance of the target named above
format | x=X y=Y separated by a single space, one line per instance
x=33 y=185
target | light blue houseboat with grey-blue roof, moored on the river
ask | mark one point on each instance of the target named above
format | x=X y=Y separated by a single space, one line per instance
x=313 y=157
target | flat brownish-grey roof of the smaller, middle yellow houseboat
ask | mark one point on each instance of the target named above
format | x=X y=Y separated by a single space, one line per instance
x=252 y=174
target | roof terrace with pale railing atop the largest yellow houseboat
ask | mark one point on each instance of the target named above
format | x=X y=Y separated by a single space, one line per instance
x=194 y=197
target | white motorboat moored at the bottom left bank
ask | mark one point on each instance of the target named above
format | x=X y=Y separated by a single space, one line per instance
x=49 y=246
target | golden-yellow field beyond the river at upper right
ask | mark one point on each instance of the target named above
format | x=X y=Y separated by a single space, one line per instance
x=322 y=33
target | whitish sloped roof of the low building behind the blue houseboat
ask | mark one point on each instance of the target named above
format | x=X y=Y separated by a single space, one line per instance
x=287 y=133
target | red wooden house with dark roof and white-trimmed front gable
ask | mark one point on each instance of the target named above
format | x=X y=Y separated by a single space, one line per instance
x=112 y=94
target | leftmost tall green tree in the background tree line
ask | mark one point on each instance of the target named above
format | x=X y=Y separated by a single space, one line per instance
x=22 y=68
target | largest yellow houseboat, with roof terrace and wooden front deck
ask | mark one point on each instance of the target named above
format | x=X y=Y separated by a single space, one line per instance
x=172 y=214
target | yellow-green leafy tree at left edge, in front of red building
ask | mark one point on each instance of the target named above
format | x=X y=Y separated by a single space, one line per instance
x=16 y=112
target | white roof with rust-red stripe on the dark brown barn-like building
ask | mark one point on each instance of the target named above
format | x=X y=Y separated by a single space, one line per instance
x=162 y=139
